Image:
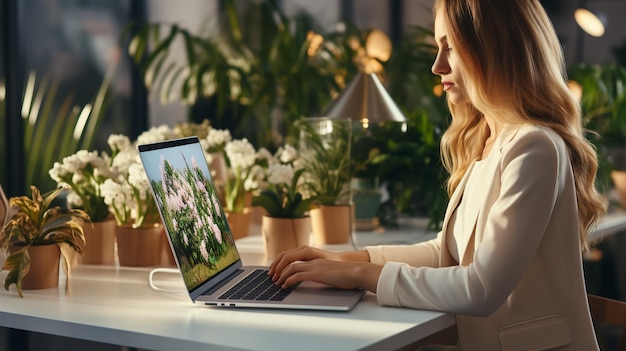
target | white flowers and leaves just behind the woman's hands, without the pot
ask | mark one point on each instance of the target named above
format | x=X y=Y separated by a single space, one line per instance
x=284 y=195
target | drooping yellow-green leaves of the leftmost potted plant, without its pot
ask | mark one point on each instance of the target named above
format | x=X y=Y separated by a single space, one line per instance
x=38 y=222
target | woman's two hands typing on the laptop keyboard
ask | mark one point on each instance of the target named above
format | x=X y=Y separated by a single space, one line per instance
x=348 y=270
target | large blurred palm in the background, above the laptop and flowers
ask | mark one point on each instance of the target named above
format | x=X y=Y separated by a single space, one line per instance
x=253 y=74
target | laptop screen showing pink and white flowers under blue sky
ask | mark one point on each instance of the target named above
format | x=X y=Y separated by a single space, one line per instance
x=190 y=208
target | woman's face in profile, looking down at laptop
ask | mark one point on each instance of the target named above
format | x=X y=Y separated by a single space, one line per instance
x=446 y=64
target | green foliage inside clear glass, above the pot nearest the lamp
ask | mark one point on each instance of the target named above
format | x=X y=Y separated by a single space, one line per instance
x=325 y=150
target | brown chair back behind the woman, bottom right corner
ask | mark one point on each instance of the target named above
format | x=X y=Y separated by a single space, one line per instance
x=606 y=312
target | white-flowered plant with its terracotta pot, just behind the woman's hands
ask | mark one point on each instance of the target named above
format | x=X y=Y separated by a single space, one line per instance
x=287 y=224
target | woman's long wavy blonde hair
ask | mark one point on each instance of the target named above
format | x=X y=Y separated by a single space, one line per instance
x=514 y=69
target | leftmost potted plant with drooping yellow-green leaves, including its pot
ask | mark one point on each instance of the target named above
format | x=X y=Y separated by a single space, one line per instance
x=35 y=238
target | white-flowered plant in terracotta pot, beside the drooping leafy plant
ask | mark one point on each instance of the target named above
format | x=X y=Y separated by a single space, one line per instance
x=83 y=174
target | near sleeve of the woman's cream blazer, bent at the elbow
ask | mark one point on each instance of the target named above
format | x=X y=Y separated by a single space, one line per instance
x=516 y=221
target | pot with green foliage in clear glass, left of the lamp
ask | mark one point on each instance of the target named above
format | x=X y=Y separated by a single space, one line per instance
x=325 y=150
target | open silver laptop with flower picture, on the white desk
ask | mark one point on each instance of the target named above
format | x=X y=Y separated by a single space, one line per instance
x=203 y=245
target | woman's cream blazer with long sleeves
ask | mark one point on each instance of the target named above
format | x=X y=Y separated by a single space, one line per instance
x=520 y=282
